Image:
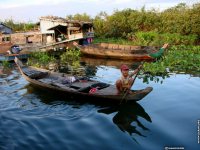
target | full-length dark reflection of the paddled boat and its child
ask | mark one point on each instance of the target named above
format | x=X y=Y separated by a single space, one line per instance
x=127 y=118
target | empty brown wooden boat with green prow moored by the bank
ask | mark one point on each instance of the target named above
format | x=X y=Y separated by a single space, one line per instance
x=123 y=52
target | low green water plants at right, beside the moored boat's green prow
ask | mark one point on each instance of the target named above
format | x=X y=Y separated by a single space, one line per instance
x=178 y=59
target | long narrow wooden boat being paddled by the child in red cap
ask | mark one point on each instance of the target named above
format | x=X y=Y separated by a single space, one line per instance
x=81 y=87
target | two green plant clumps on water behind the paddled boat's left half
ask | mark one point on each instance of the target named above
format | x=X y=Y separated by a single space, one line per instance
x=68 y=62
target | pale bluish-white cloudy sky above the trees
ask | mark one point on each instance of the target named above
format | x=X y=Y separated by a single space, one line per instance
x=32 y=10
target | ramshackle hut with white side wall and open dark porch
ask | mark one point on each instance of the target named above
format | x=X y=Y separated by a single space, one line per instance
x=59 y=29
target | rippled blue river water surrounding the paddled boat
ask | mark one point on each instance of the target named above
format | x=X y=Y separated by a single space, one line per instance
x=167 y=117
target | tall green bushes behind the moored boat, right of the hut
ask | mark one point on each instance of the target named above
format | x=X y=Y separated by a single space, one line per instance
x=180 y=21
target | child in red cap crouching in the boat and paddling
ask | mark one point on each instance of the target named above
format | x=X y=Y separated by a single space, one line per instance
x=126 y=81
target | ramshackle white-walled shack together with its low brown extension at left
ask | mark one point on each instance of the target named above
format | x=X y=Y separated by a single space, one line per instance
x=54 y=32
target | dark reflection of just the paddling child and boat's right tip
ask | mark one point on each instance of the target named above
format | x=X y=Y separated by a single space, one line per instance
x=127 y=118
